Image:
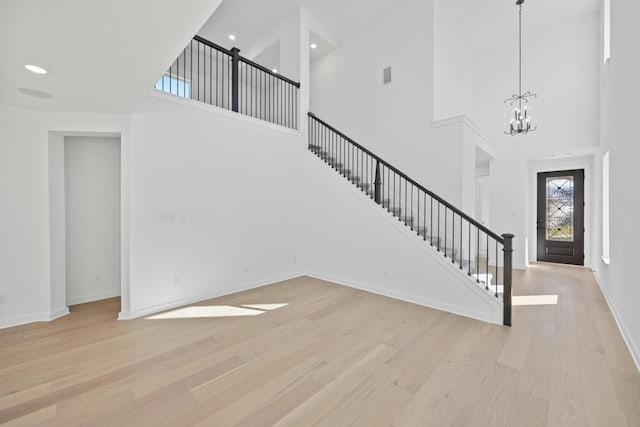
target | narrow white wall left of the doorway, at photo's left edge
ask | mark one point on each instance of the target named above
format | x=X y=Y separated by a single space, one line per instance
x=24 y=267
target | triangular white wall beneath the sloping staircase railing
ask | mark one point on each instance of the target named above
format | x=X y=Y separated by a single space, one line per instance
x=363 y=246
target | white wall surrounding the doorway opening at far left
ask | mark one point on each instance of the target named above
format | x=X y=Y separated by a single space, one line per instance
x=29 y=266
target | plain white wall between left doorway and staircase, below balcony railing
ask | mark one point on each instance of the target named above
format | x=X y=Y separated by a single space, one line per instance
x=212 y=203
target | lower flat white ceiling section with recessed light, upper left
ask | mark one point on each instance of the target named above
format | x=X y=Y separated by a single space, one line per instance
x=102 y=56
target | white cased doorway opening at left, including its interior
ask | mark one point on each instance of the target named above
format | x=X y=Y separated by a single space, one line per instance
x=87 y=219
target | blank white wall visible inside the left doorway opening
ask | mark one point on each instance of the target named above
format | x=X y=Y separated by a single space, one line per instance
x=92 y=192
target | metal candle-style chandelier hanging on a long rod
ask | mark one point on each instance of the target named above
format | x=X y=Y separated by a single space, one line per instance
x=519 y=117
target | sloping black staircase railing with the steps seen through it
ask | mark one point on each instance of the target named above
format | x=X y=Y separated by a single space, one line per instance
x=477 y=252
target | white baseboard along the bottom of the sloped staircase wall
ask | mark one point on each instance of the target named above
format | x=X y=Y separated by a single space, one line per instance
x=495 y=319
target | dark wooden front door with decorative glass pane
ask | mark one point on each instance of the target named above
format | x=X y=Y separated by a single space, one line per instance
x=561 y=217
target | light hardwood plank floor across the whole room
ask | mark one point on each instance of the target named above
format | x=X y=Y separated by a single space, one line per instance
x=332 y=356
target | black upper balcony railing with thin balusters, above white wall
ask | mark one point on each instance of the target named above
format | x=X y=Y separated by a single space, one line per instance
x=209 y=73
